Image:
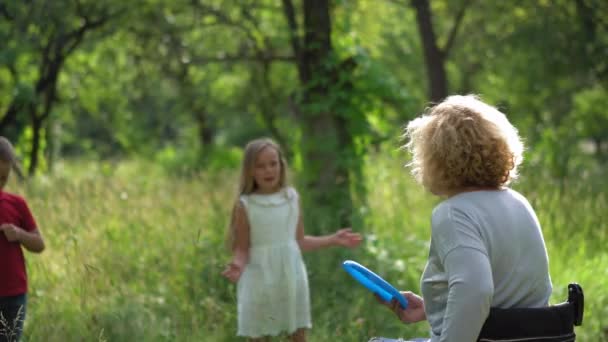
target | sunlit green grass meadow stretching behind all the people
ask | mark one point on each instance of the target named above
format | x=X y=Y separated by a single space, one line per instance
x=135 y=255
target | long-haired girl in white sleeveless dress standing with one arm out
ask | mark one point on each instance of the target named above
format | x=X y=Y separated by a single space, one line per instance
x=266 y=239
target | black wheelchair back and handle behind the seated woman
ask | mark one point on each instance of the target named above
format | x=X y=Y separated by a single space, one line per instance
x=550 y=324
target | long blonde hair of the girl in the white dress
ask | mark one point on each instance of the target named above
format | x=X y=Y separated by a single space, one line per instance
x=247 y=183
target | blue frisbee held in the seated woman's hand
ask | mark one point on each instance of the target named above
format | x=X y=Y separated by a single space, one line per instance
x=374 y=282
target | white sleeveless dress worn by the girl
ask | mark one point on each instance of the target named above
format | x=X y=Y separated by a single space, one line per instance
x=272 y=292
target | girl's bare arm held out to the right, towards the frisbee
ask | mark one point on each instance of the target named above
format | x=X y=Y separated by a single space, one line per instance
x=343 y=237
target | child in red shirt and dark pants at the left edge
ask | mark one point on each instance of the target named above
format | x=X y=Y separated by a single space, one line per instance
x=17 y=228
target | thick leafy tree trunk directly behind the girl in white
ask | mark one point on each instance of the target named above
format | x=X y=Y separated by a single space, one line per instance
x=324 y=146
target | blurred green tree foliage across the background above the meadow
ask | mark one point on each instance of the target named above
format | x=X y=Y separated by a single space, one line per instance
x=193 y=73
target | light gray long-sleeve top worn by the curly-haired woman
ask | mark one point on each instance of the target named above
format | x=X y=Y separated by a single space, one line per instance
x=487 y=250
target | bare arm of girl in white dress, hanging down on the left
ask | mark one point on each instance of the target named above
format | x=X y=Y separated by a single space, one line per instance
x=240 y=256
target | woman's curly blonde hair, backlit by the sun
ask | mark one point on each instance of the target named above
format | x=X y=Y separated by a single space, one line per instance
x=463 y=142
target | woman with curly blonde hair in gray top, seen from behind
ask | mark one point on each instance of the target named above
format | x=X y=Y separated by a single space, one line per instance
x=487 y=248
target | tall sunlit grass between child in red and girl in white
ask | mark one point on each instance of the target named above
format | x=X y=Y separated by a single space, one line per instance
x=133 y=255
